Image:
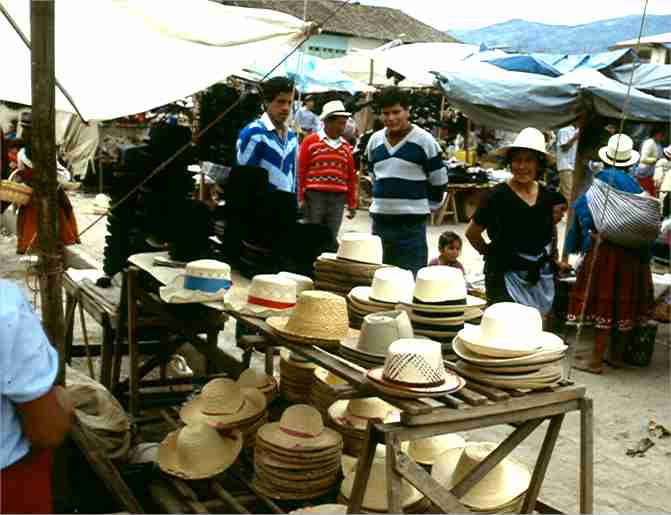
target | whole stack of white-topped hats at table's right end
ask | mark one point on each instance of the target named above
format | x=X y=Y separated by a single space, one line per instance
x=510 y=349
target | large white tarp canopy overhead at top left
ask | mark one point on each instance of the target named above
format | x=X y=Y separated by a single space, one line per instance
x=119 y=57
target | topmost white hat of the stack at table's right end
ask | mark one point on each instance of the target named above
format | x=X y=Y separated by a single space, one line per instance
x=508 y=329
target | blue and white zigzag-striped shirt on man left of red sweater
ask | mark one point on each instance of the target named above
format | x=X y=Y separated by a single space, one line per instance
x=259 y=145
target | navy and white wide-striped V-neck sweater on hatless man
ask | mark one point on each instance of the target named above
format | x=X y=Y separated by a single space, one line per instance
x=408 y=179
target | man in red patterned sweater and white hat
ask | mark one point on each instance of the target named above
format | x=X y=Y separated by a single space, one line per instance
x=326 y=173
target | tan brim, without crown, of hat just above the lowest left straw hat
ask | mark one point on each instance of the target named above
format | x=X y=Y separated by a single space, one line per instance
x=254 y=404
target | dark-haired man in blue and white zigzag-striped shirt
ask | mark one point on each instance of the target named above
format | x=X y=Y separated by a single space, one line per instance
x=268 y=142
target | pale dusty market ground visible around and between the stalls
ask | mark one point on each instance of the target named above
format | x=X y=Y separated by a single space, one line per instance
x=625 y=400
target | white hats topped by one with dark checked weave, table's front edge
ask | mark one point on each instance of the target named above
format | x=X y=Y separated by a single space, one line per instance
x=414 y=368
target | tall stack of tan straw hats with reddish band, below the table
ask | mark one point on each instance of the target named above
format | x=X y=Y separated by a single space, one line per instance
x=297 y=457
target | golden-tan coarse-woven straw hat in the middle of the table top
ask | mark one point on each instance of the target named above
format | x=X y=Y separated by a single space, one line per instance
x=319 y=318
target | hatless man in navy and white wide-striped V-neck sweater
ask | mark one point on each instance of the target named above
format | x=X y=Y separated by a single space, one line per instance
x=409 y=179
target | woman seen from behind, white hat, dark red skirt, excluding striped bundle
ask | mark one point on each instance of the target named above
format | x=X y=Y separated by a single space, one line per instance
x=620 y=293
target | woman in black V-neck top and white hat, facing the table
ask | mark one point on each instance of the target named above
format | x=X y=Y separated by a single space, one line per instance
x=518 y=218
